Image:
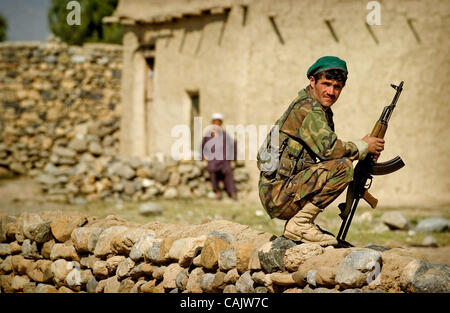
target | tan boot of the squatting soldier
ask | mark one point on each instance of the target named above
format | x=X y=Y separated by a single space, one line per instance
x=301 y=227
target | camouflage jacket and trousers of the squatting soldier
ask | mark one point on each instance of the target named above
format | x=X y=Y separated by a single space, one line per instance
x=314 y=165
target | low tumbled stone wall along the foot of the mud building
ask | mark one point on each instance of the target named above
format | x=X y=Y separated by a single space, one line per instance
x=107 y=176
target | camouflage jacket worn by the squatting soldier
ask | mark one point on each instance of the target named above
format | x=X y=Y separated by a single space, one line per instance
x=306 y=137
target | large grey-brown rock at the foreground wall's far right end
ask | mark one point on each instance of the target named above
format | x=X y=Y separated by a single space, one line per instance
x=420 y=276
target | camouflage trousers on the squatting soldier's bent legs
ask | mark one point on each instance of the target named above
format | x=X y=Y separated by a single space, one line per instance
x=319 y=184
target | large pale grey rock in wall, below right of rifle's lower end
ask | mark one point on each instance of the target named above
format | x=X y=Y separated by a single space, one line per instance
x=358 y=267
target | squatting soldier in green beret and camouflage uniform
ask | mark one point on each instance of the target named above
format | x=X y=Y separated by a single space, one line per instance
x=312 y=166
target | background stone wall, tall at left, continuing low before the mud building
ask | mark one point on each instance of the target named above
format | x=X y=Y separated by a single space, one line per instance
x=60 y=118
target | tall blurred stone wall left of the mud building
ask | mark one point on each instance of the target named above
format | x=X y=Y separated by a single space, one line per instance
x=50 y=94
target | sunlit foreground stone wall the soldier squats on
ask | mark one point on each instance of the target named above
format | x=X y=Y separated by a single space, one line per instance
x=56 y=252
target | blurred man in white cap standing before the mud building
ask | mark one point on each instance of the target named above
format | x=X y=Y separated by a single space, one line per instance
x=218 y=149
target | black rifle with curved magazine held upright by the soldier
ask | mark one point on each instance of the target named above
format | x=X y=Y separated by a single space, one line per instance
x=362 y=177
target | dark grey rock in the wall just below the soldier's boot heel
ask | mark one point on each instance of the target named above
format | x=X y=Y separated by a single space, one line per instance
x=271 y=254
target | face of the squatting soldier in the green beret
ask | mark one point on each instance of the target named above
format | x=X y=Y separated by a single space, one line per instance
x=326 y=91
